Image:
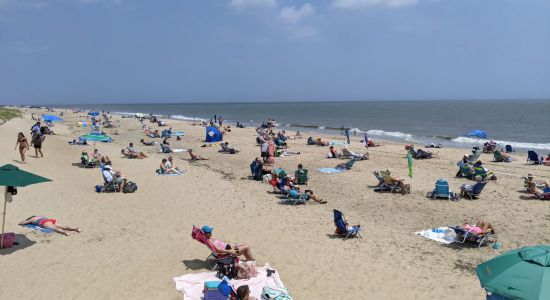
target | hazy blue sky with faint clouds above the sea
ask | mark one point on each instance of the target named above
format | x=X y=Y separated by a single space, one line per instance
x=129 y=51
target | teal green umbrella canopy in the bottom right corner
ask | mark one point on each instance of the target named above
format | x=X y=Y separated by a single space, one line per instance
x=518 y=274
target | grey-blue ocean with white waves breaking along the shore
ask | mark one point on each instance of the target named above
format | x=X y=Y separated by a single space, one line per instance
x=524 y=124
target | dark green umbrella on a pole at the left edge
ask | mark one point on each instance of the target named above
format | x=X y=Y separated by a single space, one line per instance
x=12 y=177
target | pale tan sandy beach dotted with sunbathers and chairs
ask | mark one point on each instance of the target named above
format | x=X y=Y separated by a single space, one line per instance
x=132 y=245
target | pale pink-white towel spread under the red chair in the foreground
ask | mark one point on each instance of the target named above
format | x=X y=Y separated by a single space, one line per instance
x=191 y=285
